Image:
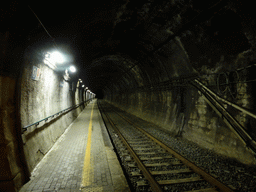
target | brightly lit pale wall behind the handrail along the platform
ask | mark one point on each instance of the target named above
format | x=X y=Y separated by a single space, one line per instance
x=40 y=99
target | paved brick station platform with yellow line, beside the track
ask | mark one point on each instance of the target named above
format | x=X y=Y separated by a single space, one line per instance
x=81 y=160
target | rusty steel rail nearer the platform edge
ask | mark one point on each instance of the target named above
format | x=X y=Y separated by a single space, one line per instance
x=153 y=183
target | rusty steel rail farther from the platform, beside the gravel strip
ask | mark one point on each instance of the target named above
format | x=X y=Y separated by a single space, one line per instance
x=213 y=181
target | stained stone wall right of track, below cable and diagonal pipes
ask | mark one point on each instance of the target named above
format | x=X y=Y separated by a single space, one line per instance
x=192 y=119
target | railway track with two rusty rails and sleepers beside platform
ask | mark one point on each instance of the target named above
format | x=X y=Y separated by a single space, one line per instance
x=153 y=166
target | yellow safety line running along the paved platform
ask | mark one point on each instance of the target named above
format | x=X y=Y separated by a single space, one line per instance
x=87 y=168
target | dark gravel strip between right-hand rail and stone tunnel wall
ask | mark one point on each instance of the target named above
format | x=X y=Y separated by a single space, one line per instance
x=229 y=171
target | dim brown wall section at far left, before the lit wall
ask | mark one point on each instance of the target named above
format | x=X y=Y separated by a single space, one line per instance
x=12 y=174
